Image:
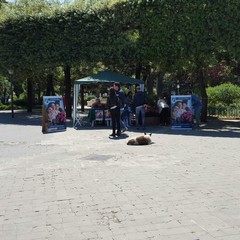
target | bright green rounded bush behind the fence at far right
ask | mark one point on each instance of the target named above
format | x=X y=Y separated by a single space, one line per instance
x=223 y=95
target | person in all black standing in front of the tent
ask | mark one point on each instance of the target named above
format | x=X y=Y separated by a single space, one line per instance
x=113 y=103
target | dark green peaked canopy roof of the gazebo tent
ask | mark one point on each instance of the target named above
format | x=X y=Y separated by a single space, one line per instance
x=108 y=76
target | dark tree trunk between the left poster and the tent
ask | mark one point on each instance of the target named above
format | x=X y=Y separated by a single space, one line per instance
x=67 y=72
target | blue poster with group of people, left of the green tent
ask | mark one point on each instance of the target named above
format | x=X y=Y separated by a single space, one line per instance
x=53 y=114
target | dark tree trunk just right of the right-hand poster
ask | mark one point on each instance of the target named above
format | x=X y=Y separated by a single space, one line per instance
x=204 y=96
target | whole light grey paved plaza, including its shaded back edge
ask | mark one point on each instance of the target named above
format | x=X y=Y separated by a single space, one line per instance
x=81 y=185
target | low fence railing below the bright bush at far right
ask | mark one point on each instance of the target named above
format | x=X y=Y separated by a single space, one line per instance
x=226 y=112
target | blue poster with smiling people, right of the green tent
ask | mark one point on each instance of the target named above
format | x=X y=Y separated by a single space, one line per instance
x=181 y=112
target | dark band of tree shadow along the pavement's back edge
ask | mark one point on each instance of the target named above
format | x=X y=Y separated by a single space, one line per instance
x=213 y=128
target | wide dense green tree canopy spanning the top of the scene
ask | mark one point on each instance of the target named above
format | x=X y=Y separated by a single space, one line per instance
x=181 y=37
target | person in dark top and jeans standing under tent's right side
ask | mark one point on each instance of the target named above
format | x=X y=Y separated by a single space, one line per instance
x=140 y=102
